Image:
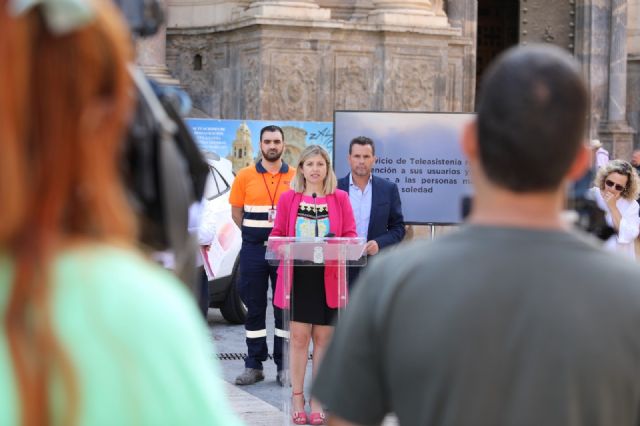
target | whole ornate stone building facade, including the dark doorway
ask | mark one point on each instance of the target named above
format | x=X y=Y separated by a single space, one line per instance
x=303 y=59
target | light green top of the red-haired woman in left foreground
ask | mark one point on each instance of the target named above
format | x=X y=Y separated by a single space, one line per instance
x=136 y=340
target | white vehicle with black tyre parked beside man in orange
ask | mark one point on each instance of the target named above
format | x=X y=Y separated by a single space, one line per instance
x=223 y=291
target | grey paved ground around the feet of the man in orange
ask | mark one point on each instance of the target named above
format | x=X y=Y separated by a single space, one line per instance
x=261 y=404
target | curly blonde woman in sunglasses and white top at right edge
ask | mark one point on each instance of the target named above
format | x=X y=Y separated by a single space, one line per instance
x=616 y=190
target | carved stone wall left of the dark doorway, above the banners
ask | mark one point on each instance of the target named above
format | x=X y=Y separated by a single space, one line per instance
x=298 y=63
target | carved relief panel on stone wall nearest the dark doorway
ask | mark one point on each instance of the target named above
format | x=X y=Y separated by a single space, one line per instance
x=413 y=84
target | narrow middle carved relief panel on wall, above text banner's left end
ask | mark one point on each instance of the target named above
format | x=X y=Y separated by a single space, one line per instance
x=353 y=82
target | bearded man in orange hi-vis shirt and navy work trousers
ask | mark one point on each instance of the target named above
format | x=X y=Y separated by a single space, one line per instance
x=254 y=196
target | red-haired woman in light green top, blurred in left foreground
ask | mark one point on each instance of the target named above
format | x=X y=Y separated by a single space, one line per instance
x=92 y=332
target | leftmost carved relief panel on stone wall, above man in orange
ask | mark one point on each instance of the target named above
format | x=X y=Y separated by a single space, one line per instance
x=294 y=87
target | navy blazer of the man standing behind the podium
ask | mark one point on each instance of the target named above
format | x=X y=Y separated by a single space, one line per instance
x=386 y=223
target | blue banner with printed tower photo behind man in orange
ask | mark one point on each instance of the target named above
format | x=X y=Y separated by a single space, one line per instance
x=239 y=140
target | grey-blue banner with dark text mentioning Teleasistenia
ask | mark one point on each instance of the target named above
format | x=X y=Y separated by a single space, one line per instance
x=420 y=152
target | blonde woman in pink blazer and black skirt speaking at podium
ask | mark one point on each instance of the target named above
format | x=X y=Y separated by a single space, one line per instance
x=314 y=207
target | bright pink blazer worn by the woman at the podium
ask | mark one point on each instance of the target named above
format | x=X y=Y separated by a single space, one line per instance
x=341 y=223
